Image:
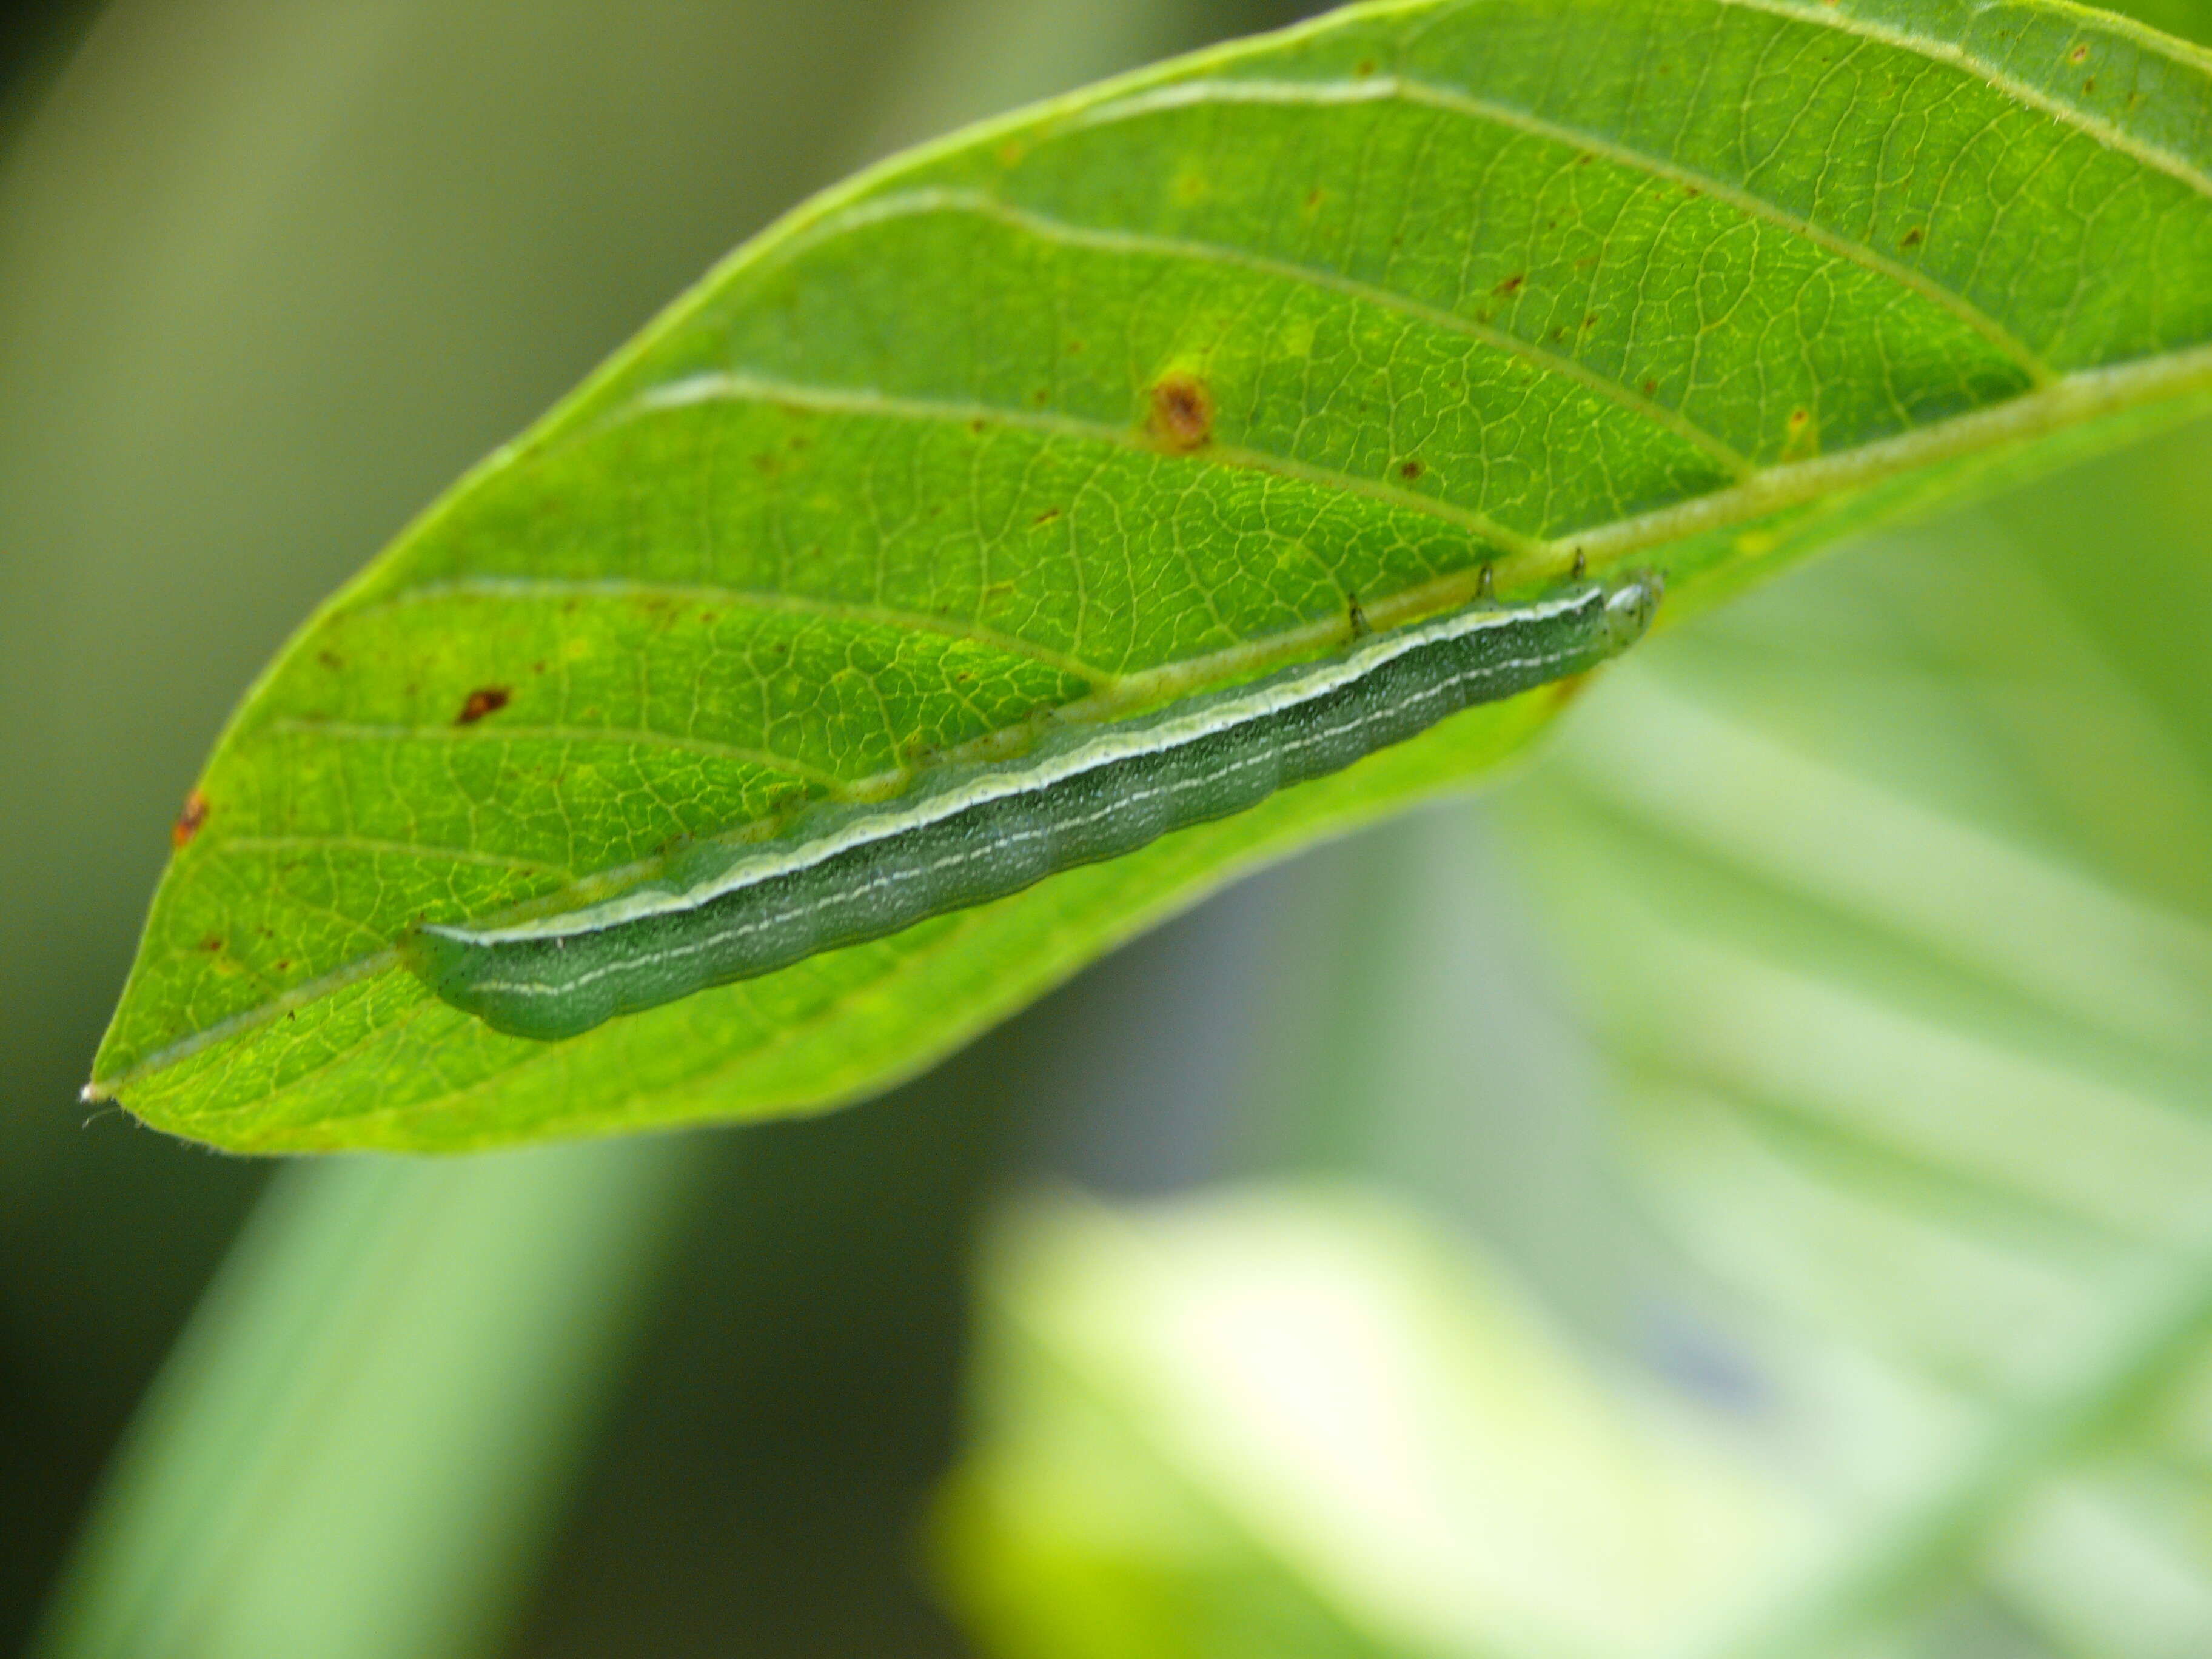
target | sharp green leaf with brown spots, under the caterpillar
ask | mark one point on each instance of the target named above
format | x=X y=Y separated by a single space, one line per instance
x=1494 y=282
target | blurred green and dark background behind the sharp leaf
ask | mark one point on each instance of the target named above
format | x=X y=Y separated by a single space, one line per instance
x=273 y=273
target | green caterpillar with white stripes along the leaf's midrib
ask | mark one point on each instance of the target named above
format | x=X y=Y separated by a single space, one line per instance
x=966 y=835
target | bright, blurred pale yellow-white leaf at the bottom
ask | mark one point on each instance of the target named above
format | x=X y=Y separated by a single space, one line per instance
x=1300 y=1423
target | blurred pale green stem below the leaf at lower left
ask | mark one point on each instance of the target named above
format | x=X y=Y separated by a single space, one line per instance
x=366 y=1432
